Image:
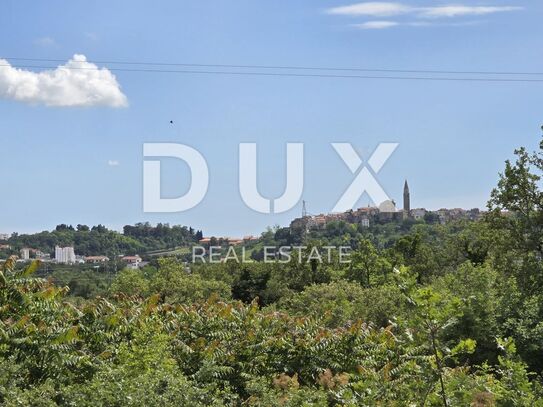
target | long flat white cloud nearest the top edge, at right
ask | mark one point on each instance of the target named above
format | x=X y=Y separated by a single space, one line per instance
x=387 y=9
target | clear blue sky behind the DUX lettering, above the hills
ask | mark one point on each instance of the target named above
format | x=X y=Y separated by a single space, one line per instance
x=453 y=136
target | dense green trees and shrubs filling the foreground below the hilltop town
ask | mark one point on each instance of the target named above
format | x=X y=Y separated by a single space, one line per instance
x=425 y=314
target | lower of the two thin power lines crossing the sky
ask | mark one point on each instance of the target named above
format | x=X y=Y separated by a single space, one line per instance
x=290 y=74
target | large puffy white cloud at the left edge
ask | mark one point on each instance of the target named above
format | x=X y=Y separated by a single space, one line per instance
x=77 y=83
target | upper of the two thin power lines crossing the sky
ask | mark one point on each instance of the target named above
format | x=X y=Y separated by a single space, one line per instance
x=286 y=67
